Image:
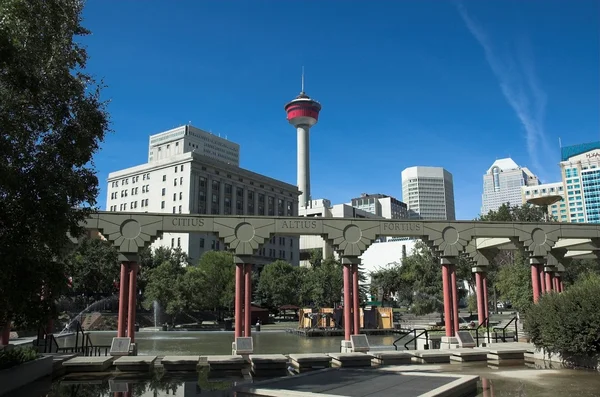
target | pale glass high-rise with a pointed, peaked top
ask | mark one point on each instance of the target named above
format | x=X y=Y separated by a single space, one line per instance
x=502 y=184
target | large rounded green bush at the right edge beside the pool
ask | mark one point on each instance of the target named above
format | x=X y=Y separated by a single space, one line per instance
x=568 y=323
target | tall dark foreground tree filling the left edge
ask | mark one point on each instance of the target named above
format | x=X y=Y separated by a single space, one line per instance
x=52 y=121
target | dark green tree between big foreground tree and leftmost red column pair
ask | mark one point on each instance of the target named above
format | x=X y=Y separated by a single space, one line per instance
x=94 y=267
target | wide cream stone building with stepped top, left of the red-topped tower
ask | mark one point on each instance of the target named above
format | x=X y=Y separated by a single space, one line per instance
x=191 y=171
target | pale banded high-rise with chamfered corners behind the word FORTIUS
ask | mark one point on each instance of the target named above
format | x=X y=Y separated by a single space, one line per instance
x=428 y=193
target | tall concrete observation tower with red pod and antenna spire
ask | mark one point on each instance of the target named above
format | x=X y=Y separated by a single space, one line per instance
x=303 y=113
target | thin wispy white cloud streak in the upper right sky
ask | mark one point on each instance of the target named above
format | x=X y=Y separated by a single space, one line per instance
x=519 y=85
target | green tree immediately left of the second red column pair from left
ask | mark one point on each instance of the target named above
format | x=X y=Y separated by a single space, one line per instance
x=218 y=271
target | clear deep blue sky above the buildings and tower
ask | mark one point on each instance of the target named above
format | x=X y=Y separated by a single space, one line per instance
x=402 y=83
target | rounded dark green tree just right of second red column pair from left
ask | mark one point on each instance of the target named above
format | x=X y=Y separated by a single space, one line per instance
x=278 y=285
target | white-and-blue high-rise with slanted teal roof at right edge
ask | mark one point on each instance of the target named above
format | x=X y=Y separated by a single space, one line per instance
x=580 y=170
